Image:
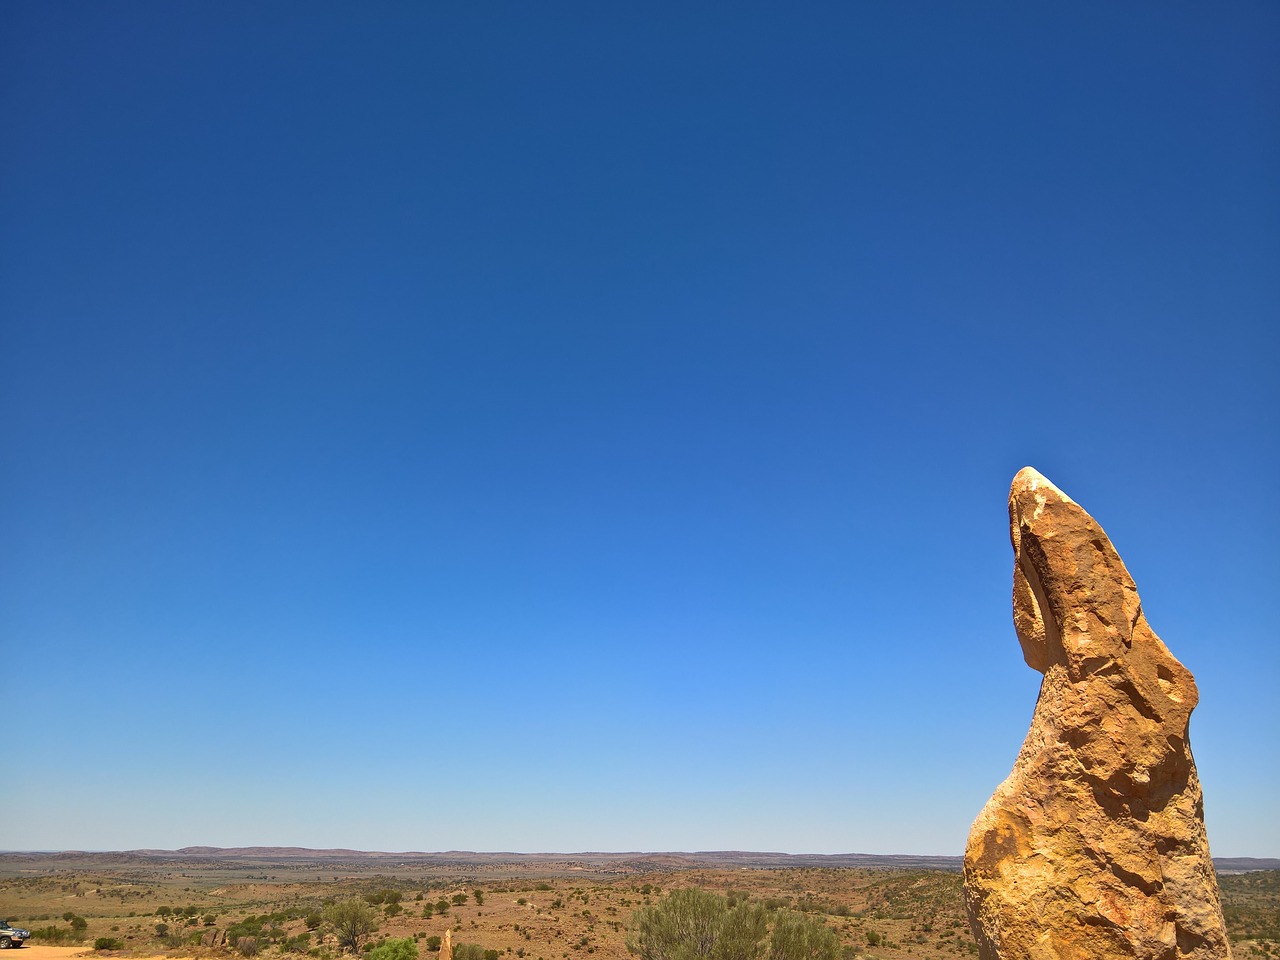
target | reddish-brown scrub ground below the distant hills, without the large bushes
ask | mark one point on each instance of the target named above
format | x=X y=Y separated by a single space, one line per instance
x=565 y=916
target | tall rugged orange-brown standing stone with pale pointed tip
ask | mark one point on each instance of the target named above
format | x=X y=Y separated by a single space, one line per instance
x=1095 y=845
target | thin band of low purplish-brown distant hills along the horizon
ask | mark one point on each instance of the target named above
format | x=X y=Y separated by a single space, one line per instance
x=629 y=862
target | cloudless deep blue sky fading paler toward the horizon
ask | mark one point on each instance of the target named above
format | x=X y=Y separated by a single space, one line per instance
x=573 y=427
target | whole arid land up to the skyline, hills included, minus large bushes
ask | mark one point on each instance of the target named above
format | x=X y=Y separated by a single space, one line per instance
x=204 y=903
